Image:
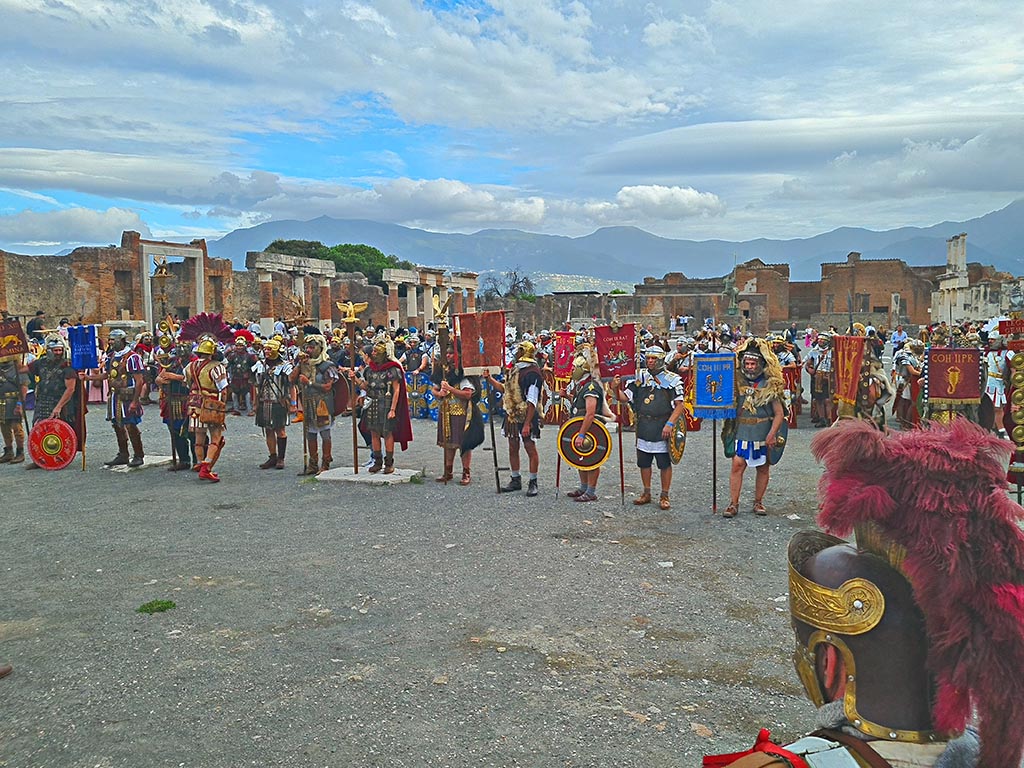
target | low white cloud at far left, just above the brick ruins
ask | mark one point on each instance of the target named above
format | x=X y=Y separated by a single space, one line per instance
x=73 y=226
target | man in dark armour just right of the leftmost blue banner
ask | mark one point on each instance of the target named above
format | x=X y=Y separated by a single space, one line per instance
x=123 y=370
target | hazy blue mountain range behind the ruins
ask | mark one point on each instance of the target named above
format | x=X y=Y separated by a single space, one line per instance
x=622 y=257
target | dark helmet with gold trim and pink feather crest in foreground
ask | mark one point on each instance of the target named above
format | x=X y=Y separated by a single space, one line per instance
x=932 y=504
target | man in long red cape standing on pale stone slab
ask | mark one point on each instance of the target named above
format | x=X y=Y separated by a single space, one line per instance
x=386 y=403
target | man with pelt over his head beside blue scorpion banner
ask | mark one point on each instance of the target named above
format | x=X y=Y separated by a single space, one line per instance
x=760 y=413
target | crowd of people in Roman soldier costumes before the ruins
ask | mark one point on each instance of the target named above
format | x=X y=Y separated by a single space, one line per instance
x=203 y=370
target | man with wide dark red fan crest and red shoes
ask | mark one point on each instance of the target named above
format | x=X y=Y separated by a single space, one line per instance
x=207 y=379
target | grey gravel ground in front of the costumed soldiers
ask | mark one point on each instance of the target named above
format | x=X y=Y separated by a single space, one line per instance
x=417 y=625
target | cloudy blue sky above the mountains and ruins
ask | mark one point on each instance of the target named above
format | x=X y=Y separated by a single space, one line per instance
x=723 y=119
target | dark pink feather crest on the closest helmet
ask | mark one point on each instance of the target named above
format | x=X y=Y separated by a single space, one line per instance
x=941 y=494
